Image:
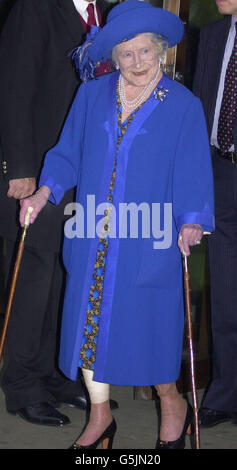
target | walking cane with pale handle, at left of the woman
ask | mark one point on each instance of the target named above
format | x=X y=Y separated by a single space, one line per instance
x=14 y=279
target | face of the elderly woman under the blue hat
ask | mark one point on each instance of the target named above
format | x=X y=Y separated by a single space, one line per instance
x=138 y=60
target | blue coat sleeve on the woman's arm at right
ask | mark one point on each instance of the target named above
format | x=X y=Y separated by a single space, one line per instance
x=193 y=196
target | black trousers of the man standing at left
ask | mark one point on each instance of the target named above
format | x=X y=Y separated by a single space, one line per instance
x=30 y=372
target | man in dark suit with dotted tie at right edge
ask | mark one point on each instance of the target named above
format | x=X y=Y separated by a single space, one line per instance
x=216 y=84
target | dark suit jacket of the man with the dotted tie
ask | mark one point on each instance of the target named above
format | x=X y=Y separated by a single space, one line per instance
x=208 y=68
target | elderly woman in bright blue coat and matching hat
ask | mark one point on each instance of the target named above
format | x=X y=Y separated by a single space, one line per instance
x=131 y=136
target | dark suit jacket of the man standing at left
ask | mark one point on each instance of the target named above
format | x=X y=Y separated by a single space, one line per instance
x=37 y=85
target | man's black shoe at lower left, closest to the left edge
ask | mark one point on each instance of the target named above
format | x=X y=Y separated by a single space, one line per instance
x=42 y=413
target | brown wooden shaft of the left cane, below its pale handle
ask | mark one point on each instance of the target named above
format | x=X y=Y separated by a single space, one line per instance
x=11 y=295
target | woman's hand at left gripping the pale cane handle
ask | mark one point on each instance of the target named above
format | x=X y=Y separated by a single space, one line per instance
x=37 y=202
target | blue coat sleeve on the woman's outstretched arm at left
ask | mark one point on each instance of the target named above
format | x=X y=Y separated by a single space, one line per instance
x=62 y=163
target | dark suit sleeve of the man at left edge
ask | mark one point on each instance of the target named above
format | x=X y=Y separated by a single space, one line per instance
x=21 y=59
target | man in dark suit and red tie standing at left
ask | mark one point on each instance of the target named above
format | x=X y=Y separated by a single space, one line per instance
x=37 y=86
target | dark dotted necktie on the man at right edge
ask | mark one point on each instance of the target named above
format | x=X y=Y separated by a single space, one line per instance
x=229 y=102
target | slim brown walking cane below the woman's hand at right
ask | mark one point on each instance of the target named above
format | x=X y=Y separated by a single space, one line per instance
x=187 y=291
